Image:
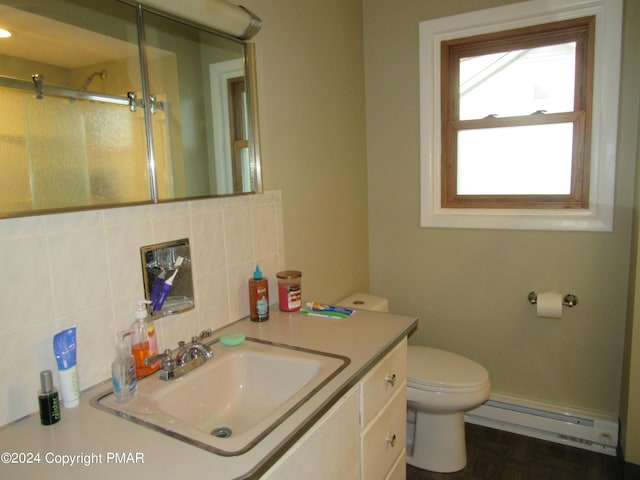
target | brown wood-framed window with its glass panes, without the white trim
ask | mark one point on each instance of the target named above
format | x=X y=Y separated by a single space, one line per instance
x=516 y=110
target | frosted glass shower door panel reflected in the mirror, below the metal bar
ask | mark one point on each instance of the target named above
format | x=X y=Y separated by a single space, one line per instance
x=68 y=153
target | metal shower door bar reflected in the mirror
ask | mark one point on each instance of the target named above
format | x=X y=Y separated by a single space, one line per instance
x=38 y=86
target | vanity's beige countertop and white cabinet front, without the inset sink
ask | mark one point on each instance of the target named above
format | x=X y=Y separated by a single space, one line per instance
x=352 y=428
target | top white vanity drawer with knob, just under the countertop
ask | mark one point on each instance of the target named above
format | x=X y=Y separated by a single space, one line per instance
x=383 y=382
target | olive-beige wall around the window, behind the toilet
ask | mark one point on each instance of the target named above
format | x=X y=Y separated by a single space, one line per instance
x=469 y=287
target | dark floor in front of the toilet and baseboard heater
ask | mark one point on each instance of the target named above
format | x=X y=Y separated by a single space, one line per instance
x=497 y=455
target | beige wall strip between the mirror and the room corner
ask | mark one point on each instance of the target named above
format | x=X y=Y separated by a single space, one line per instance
x=311 y=89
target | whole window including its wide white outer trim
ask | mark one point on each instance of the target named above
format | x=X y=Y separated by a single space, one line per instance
x=518 y=108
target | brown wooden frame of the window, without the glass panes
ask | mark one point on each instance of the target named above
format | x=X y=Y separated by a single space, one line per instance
x=582 y=31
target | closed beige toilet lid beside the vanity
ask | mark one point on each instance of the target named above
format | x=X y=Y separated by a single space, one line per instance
x=430 y=367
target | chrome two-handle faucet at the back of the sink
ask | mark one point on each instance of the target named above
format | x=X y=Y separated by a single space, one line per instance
x=188 y=357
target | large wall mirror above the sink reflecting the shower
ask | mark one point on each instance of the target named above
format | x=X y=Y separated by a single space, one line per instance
x=106 y=102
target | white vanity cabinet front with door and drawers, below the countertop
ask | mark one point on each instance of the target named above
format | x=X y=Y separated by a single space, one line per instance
x=362 y=436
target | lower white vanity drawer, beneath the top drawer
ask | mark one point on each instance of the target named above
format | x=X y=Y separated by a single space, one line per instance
x=384 y=440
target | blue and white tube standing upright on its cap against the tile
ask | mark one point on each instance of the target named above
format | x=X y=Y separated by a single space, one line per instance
x=64 y=348
